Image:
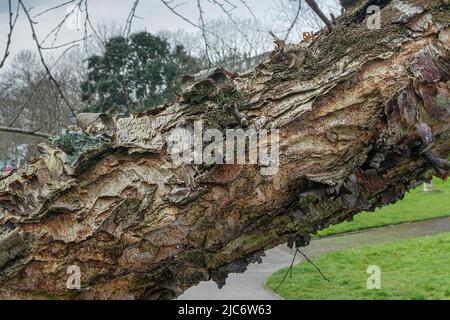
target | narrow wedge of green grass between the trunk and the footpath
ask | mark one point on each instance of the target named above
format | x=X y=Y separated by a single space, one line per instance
x=416 y=206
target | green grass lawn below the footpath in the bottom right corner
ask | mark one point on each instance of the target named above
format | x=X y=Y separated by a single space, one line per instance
x=410 y=269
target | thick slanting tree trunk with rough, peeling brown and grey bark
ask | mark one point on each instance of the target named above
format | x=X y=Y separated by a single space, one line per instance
x=354 y=109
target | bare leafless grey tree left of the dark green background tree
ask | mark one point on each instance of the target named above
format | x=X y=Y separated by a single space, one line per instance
x=29 y=100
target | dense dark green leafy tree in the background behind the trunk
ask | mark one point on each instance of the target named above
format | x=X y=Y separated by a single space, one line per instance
x=135 y=72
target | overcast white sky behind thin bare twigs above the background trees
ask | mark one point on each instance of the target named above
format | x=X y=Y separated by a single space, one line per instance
x=155 y=16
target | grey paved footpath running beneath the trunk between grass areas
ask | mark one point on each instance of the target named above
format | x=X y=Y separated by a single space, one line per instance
x=250 y=285
